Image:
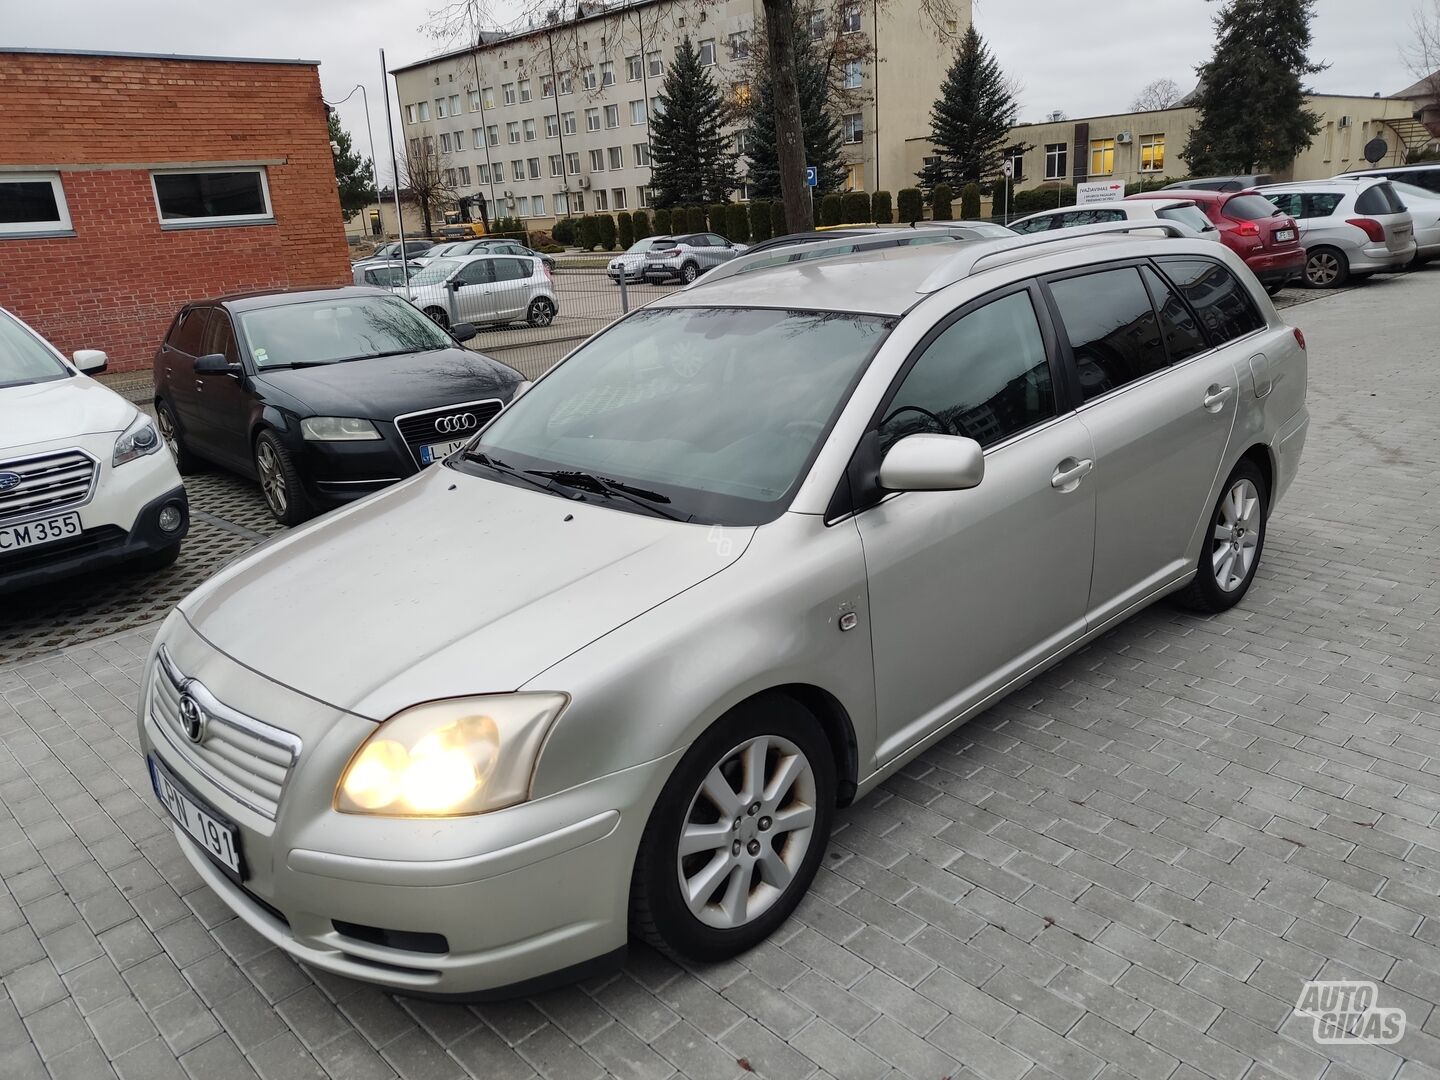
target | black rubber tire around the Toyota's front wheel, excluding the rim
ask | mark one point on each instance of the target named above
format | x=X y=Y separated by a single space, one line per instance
x=656 y=878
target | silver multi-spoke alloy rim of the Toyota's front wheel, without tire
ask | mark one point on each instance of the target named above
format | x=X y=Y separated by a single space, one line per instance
x=747 y=833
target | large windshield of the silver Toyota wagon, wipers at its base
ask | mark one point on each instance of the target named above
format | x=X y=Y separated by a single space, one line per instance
x=718 y=410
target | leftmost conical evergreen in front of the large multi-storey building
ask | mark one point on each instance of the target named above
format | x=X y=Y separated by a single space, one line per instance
x=690 y=155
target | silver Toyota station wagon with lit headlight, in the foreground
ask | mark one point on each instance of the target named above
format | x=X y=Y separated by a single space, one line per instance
x=614 y=666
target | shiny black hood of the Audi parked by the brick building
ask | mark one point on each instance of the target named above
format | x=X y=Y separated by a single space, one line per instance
x=394 y=385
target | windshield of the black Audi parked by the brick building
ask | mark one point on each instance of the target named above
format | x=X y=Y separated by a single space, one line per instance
x=328 y=330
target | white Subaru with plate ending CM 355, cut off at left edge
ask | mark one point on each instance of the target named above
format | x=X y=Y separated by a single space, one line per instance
x=84 y=476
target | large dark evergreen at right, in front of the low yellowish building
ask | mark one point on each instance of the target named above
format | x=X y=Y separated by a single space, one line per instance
x=1251 y=97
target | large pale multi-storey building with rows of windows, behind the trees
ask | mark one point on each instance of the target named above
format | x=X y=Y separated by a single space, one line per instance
x=555 y=120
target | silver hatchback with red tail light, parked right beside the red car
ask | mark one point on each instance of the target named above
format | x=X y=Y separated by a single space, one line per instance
x=1347 y=228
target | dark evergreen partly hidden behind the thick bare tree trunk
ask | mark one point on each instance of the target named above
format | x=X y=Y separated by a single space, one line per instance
x=822 y=130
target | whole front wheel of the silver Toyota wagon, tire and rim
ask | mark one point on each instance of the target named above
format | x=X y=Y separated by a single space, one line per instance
x=738 y=833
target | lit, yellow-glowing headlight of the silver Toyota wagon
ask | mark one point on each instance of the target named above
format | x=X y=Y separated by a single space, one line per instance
x=467 y=755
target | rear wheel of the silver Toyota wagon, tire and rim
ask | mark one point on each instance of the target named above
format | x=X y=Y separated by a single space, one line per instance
x=1230 y=558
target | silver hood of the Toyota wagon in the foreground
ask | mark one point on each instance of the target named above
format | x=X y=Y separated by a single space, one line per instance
x=443 y=587
